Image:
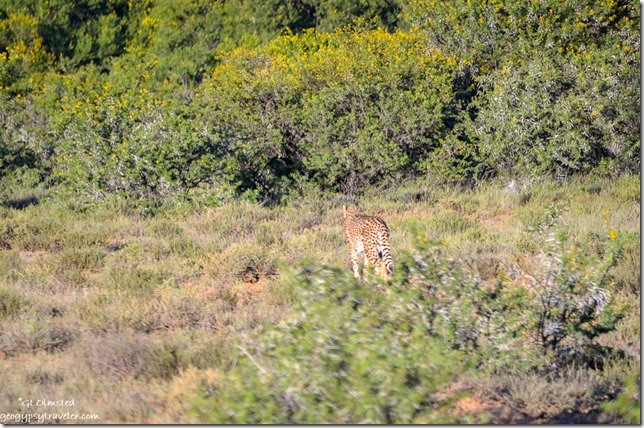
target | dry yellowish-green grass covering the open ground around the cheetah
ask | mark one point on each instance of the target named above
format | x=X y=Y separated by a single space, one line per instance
x=127 y=314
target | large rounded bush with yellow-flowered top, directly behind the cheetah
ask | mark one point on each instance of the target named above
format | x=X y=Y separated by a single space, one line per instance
x=339 y=110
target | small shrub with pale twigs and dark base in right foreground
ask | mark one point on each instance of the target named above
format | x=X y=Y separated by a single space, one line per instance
x=572 y=304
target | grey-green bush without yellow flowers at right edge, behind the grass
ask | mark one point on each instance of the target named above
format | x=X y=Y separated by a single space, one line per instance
x=560 y=116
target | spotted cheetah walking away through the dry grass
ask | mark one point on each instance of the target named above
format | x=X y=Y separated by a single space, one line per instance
x=369 y=235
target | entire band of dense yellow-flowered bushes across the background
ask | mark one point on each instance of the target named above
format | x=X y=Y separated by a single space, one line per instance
x=209 y=97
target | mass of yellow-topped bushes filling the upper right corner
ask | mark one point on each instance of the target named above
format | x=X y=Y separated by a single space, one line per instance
x=548 y=87
